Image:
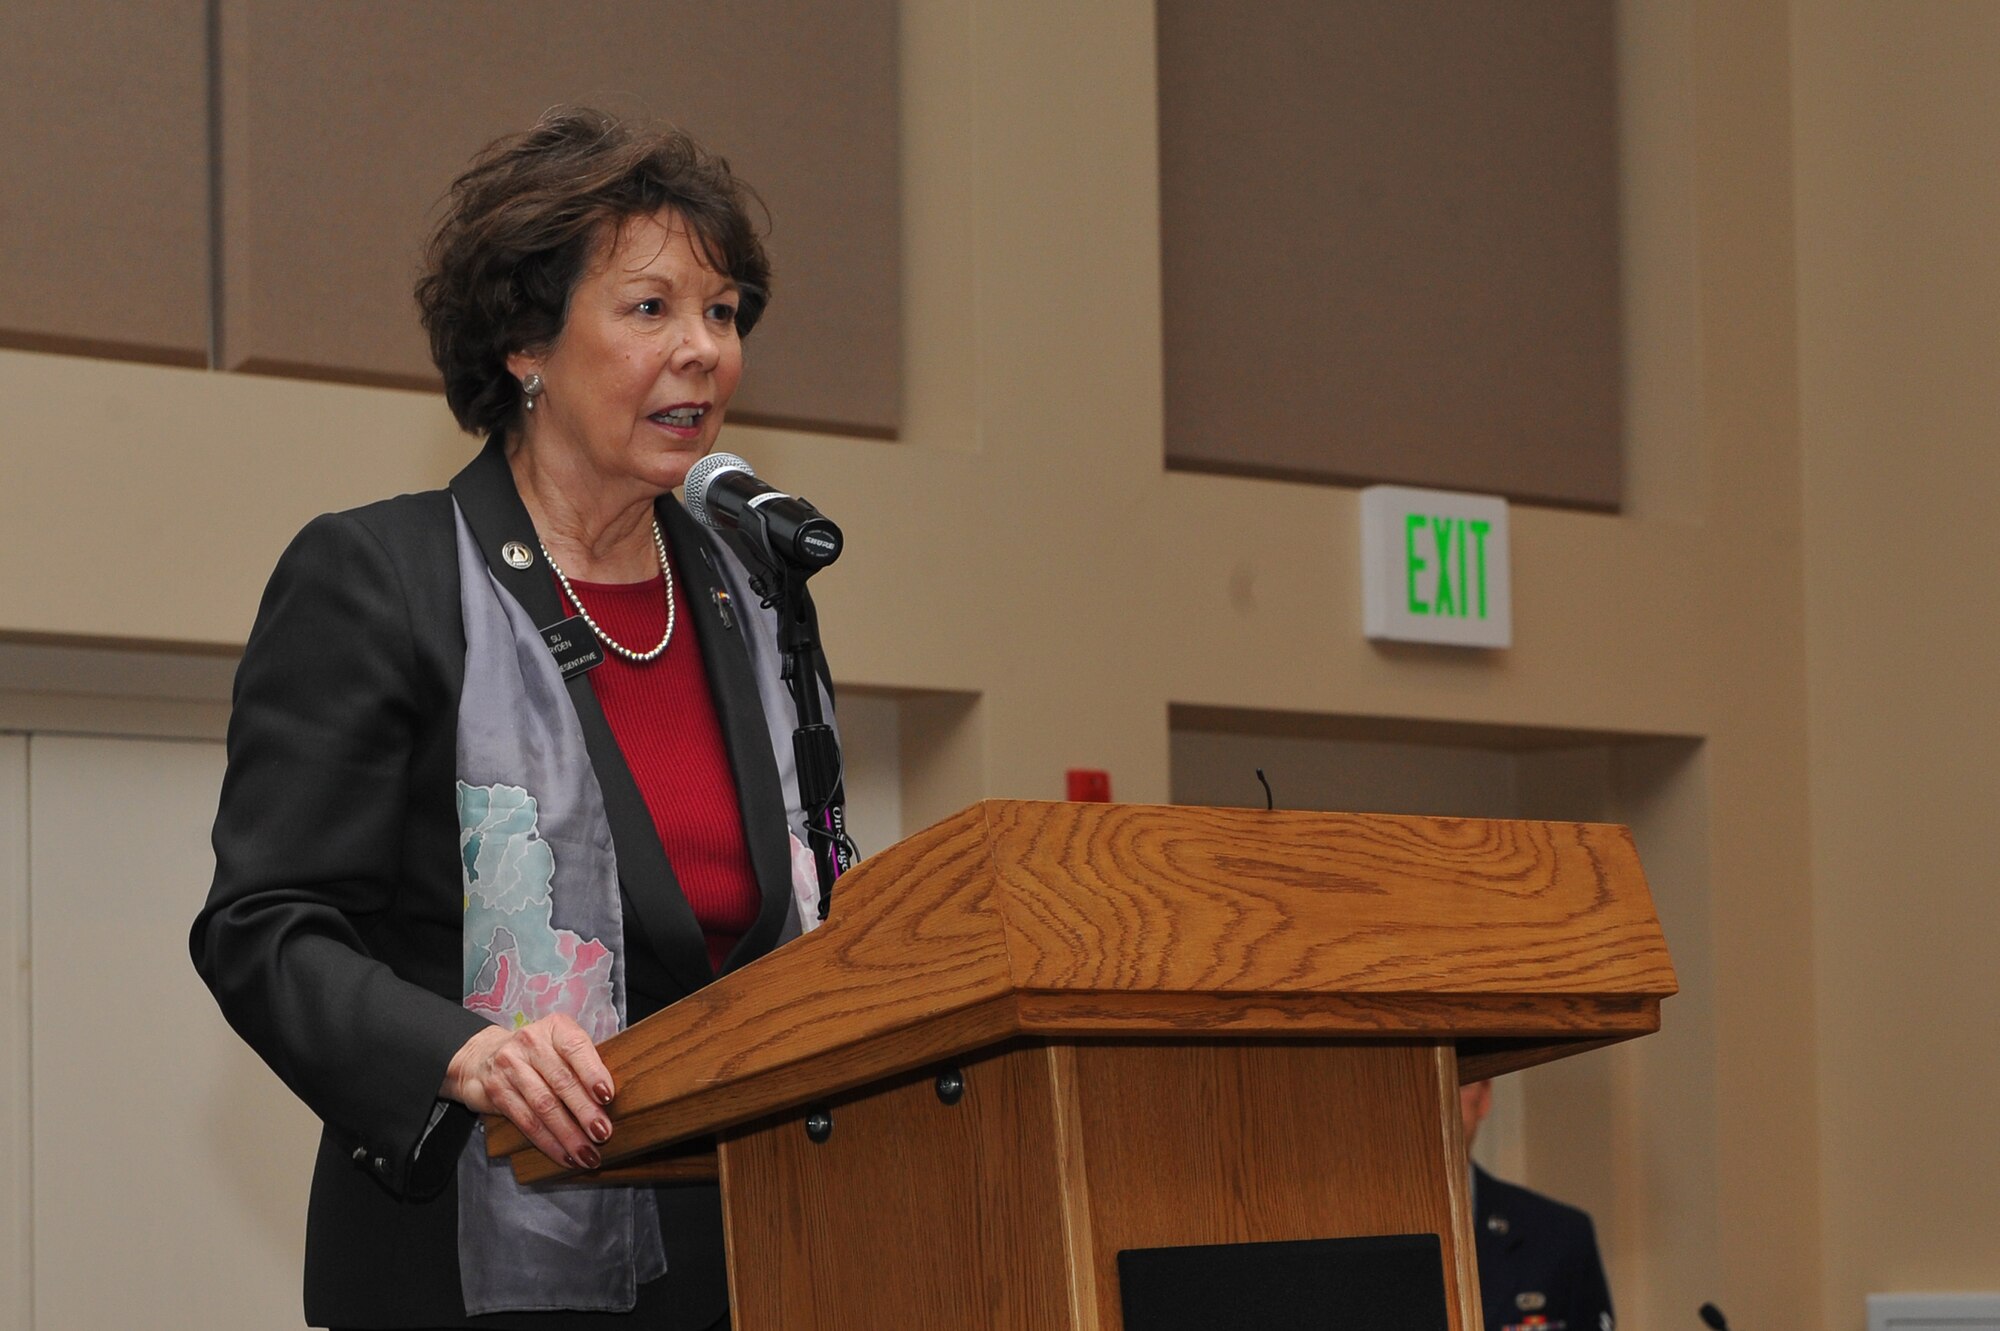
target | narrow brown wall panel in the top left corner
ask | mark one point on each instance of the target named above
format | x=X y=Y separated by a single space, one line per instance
x=105 y=179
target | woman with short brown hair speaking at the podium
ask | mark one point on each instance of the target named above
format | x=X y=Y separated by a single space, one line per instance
x=507 y=766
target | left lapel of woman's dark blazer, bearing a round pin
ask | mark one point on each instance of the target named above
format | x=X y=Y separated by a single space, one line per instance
x=485 y=493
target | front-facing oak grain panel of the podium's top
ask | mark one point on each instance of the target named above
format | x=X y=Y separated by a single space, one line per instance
x=1187 y=900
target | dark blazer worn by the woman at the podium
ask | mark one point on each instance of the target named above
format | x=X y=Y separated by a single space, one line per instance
x=331 y=936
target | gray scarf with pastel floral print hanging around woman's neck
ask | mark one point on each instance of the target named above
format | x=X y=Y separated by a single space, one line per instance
x=545 y=934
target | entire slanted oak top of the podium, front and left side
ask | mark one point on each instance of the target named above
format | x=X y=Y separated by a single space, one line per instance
x=1071 y=920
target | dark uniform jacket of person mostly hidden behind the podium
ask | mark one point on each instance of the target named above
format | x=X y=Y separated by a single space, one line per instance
x=1539 y=1258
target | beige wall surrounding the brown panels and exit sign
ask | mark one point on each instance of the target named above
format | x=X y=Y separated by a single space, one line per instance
x=1809 y=301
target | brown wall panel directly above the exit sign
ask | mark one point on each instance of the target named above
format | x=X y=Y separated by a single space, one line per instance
x=1391 y=243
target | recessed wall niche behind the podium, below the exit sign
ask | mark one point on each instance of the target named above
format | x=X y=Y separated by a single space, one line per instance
x=1625 y=1132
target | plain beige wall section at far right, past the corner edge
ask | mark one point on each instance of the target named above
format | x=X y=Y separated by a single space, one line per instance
x=1899 y=295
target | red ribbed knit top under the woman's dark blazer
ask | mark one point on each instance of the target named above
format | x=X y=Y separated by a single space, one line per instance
x=665 y=718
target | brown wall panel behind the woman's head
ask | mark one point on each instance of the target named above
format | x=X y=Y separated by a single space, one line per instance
x=343 y=127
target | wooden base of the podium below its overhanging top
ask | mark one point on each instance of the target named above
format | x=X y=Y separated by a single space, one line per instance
x=1007 y=1210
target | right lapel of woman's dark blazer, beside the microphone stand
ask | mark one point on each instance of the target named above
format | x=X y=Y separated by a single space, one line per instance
x=745 y=730
